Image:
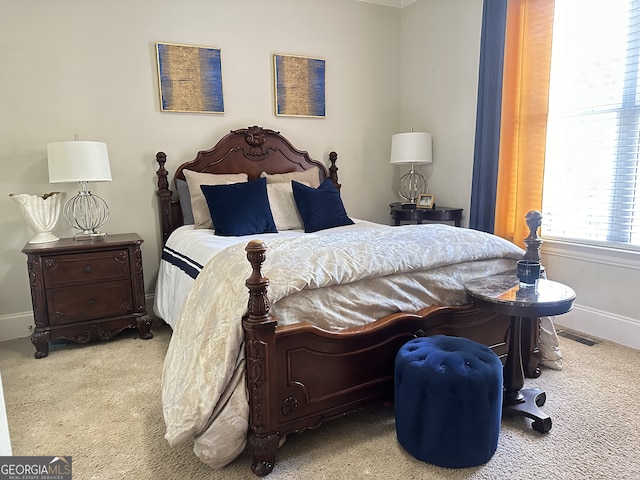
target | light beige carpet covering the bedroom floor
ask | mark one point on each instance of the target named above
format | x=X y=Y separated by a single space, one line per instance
x=100 y=403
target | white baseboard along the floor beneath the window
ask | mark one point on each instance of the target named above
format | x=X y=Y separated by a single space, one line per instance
x=603 y=325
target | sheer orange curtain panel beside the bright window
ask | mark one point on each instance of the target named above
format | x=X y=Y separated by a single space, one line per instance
x=525 y=100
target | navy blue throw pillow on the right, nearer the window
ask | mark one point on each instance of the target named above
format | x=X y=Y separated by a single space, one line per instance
x=320 y=207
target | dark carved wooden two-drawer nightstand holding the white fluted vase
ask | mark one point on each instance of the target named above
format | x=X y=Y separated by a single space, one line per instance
x=86 y=290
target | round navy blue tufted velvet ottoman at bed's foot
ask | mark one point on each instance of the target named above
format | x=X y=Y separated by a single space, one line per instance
x=448 y=400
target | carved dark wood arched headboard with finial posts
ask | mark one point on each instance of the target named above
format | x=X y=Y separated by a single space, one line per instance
x=250 y=150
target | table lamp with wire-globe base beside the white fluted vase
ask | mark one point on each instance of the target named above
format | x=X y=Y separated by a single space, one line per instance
x=83 y=162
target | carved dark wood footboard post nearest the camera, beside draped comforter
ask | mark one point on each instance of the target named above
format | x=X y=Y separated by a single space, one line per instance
x=260 y=347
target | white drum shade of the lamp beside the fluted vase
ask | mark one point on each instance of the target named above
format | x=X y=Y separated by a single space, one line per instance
x=78 y=161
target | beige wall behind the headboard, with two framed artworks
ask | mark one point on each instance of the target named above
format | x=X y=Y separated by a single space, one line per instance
x=72 y=66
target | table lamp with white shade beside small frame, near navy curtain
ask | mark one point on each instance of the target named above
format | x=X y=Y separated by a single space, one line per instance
x=412 y=148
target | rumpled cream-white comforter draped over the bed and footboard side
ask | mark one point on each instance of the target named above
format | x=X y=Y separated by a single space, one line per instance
x=203 y=390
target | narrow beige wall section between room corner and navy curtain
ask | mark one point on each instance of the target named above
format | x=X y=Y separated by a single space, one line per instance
x=440 y=56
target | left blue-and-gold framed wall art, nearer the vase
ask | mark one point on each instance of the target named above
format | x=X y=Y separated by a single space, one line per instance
x=190 y=78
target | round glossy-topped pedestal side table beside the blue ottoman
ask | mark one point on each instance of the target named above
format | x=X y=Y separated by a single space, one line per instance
x=503 y=294
